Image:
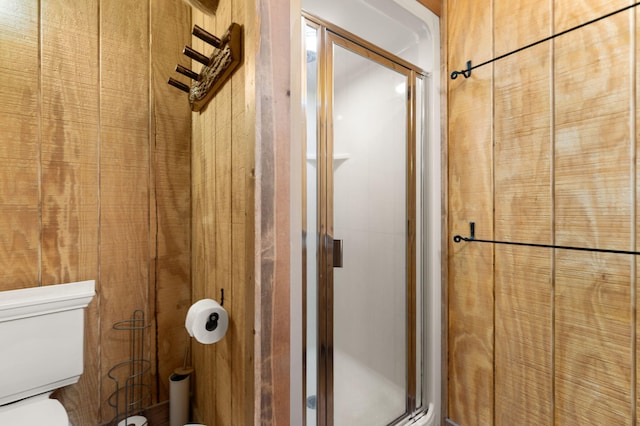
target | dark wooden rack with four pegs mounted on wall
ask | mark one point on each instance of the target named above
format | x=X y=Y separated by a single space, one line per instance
x=217 y=68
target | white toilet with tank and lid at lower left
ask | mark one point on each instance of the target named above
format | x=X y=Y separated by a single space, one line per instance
x=41 y=350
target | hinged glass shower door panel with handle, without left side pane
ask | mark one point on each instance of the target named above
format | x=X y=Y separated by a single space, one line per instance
x=367 y=242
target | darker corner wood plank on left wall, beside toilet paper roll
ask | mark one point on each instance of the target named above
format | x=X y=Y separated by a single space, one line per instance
x=171 y=140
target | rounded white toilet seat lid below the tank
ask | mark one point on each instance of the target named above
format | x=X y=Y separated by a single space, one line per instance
x=40 y=412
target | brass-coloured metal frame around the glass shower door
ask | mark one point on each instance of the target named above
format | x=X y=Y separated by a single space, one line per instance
x=330 y=35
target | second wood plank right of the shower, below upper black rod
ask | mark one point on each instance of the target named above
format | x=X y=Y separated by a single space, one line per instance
x=523 y=212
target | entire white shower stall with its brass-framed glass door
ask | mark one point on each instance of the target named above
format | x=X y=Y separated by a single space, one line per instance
x=371 y=227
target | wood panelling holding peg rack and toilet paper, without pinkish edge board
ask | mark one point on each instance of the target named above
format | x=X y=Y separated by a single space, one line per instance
x=222 y=161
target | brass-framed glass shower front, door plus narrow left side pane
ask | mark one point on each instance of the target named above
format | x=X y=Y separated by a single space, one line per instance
x=362 y=311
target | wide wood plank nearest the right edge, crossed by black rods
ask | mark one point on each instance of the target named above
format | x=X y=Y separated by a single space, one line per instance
x=592 y=193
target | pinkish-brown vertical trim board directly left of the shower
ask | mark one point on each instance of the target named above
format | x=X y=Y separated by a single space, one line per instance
x=274 y=141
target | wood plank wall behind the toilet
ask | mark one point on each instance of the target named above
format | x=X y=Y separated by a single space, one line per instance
x=94 y=182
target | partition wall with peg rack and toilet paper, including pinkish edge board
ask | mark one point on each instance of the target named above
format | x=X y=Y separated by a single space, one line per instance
x=240 y=187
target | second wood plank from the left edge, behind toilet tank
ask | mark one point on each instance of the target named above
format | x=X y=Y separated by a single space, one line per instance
x=69 y=78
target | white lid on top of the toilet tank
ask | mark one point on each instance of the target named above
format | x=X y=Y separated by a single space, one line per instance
x=26 y=302
